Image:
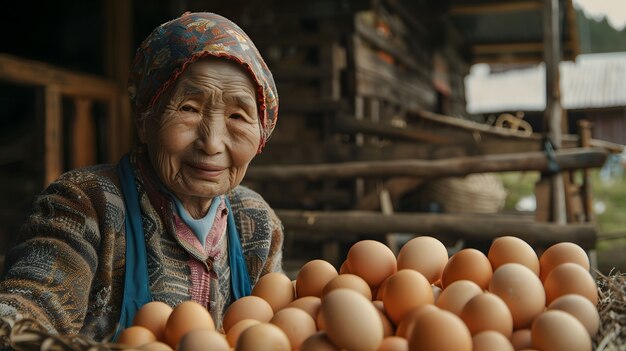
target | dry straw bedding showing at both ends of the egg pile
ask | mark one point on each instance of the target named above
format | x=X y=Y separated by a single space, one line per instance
x=29 y=335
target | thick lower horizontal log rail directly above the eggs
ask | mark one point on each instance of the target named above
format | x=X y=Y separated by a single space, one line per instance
x=460 y=226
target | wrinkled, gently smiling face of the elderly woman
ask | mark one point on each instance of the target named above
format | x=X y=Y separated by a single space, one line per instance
x=202 y=142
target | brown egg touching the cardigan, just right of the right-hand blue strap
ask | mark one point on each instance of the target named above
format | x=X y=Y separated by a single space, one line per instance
x=275 y=288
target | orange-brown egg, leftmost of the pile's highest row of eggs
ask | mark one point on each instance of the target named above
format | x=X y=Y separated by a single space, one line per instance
x=371 y=260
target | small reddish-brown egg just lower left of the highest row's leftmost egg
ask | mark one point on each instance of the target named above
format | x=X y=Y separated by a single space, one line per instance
x=313 y=276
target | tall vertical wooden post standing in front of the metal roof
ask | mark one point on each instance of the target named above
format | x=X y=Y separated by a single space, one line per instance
x=553 y=112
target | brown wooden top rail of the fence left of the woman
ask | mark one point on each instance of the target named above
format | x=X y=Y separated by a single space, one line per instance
x=28 y=72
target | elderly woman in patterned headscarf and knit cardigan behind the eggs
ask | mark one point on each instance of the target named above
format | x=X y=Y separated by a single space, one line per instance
x=170 y=222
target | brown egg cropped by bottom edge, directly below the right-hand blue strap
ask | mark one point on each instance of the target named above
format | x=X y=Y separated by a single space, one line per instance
x=263 y=337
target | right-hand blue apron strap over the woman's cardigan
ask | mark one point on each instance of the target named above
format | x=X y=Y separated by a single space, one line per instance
x=239 y=277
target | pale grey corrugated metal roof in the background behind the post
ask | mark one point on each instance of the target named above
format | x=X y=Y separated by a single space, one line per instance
x=593 y=81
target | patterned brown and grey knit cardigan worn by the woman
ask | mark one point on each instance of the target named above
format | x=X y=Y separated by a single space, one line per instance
x=67 y=269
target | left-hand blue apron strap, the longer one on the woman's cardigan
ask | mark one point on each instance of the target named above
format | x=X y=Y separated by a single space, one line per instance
x=136 y=284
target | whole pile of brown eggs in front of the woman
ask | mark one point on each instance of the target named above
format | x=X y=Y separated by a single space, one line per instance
x=509 y=299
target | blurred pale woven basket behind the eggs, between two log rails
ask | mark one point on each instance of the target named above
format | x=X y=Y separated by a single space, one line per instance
x=475 y=193
